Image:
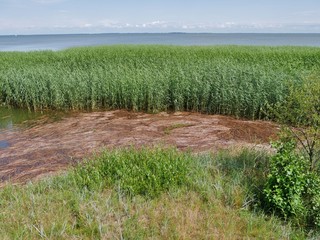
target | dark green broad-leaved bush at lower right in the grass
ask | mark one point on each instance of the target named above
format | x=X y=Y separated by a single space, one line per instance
x=292 y=189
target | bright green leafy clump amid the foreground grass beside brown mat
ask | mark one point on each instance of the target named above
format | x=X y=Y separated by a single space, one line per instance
x=146 y=172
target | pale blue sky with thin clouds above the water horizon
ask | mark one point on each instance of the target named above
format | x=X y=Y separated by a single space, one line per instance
x=123 y=16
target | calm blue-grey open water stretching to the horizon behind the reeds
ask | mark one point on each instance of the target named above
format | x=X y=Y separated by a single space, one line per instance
x=58 y=42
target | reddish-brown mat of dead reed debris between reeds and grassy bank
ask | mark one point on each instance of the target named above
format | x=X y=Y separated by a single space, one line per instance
x=49 y=147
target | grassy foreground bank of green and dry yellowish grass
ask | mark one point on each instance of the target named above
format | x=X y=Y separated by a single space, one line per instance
x=148 y=193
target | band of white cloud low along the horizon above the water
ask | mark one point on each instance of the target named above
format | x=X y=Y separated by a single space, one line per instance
x=72 y=25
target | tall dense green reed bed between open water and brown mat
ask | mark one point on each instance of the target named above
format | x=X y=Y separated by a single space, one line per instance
x=231 y=80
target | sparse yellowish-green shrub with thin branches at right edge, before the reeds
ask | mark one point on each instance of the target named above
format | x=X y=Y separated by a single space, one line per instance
x=300 y=115
